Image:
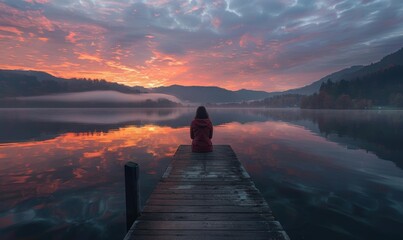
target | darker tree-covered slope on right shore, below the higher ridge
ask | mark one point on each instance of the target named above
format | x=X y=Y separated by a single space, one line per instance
x=382 y=88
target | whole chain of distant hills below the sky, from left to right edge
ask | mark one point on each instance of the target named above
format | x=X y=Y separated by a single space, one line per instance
x=15 y=83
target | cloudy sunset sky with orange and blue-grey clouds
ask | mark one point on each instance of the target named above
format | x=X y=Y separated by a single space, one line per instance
x=270 y=45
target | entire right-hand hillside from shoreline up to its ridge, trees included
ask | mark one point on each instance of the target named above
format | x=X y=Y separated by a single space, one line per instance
x=374 y=85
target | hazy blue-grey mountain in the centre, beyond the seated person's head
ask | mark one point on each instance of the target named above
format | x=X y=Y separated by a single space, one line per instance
x=201 y=94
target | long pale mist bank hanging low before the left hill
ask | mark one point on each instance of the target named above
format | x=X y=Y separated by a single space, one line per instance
x=102 y=97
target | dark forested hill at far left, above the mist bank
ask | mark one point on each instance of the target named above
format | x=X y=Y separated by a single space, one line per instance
x=30 y=83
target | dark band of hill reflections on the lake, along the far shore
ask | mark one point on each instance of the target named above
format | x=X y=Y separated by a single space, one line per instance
x=380 y=132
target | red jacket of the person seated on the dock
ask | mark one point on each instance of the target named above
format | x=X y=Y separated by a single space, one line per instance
x=201 y=131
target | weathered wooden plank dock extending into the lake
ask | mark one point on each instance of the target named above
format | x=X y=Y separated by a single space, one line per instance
x=206 y=196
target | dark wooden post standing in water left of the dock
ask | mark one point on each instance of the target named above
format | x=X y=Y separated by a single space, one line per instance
x=132 y=186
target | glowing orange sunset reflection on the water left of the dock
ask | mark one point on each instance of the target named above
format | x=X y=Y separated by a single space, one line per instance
x=73 y=183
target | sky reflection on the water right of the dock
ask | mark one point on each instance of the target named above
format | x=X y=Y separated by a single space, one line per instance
x=319 y=188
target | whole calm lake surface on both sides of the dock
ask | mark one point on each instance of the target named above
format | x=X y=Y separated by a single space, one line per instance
x=325 y=174
